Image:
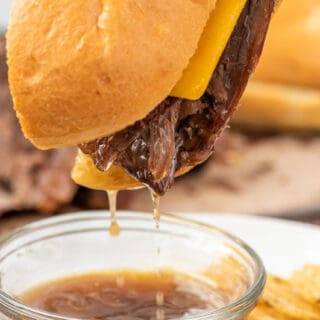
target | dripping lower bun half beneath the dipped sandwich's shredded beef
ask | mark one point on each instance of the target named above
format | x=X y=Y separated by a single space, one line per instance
x=115 y=178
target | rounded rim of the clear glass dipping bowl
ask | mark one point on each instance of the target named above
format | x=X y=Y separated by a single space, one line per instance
x=239 y=305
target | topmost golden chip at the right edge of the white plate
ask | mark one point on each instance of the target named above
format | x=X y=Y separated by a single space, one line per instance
x=307 y=283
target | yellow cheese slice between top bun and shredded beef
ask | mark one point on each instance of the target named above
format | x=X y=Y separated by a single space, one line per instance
x=217 y=33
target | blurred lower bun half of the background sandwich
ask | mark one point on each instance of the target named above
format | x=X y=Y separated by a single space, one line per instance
x=279 y=106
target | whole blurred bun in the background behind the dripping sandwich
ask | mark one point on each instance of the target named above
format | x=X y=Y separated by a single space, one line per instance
x=285 y=90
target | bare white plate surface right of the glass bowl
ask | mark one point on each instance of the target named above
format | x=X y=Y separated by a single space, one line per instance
x=284 y=246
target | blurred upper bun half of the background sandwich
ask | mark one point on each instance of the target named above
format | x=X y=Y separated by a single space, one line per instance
x=291 y=53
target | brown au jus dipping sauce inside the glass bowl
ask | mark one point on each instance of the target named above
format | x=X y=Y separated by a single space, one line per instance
x=126 y=295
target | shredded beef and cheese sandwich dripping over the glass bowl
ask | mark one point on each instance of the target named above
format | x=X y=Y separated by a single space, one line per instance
x=143 y=87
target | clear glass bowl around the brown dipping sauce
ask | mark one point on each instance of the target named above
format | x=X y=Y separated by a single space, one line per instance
x=80 y=243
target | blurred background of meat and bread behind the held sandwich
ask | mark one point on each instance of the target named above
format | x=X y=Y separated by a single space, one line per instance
x=266 y=164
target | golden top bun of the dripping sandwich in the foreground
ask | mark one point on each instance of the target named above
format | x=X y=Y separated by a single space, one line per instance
x=84 y=69
